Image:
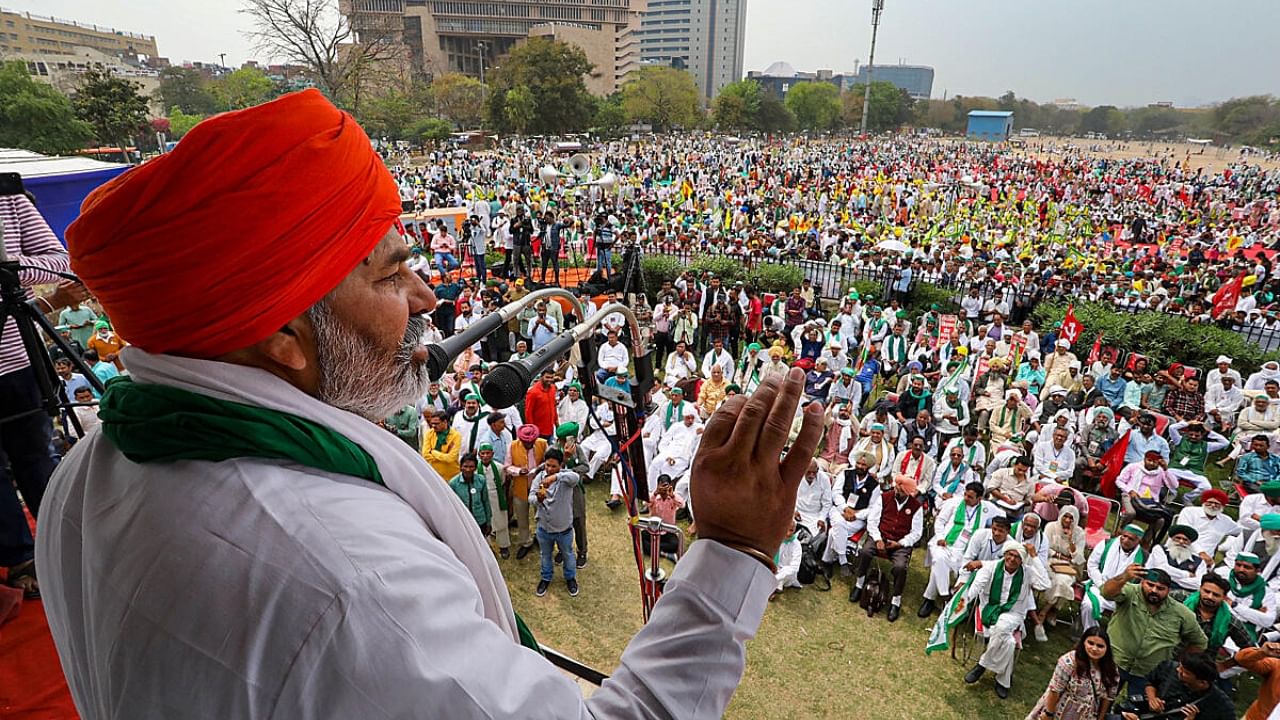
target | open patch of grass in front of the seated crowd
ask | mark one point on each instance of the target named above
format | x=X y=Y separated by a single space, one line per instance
x=815 y=649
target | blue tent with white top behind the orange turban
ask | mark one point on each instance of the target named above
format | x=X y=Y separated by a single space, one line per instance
x=60 y=184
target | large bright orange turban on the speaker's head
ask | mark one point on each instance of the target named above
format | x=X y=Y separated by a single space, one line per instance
x=250 y=221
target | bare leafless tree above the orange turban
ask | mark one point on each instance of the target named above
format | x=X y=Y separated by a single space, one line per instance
x=317 y=35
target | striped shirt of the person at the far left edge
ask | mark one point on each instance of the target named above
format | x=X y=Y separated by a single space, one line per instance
x=28 y=240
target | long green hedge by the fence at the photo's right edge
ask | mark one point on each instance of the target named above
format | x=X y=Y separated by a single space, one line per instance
x=1164 y=339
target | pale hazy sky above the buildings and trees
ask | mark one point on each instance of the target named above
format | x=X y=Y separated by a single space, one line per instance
x=1099 y=52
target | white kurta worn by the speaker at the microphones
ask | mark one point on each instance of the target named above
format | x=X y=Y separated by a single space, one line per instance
x=257 y=589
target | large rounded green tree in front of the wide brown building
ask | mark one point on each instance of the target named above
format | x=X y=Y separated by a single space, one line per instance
x=552 y=74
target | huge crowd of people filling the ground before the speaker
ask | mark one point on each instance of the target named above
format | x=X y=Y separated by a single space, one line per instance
x=979 y=446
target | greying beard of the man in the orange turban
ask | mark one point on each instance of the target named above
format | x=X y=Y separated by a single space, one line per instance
x=362 y=379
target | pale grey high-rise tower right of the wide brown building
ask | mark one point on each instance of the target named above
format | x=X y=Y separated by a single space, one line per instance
x=705 y=38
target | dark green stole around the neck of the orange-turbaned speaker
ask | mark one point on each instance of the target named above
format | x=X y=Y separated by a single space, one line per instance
x=154 y=423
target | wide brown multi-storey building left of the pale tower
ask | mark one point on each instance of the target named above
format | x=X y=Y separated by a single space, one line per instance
x=469 y=37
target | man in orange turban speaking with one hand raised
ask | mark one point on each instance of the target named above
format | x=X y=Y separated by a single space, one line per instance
x=241 y=540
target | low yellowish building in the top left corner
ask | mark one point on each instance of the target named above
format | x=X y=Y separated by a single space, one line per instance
x=29 y=34
